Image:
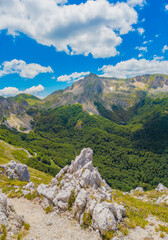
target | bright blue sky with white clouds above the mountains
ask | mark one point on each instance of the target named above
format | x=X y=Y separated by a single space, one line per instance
x=46 y=45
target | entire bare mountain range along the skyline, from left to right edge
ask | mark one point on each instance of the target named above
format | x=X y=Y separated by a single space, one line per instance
x=100 y=95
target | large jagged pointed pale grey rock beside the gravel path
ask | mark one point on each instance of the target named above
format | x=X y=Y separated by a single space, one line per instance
x=80 y=188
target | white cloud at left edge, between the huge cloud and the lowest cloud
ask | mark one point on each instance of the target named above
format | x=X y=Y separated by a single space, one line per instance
x=22 y=68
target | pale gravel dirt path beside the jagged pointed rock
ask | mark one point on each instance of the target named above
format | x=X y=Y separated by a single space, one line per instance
x=59 y=227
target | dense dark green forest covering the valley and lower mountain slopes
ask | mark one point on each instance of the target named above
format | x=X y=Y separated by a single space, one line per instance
x=128 y=155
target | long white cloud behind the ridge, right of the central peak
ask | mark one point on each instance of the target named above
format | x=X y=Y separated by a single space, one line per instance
x=134 y=67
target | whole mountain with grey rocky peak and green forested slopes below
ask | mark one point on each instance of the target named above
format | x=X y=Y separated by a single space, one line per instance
x=130 y=141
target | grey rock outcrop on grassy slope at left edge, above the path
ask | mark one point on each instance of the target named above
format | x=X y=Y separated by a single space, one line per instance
x=16 y=171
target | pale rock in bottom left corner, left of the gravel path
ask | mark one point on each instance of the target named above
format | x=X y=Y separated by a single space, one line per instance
x=8 y=216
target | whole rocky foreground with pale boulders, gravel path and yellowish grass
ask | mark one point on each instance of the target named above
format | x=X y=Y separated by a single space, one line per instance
x=79 y=192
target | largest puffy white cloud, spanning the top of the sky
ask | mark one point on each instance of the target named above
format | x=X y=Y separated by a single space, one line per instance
x=95 y=26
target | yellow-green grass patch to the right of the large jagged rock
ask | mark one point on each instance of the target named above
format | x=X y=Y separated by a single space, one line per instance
x=137 y=211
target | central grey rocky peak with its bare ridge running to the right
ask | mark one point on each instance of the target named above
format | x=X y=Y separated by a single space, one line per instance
x=95 y=92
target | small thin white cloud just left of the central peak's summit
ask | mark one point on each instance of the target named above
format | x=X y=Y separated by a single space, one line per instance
x=72 y=77
